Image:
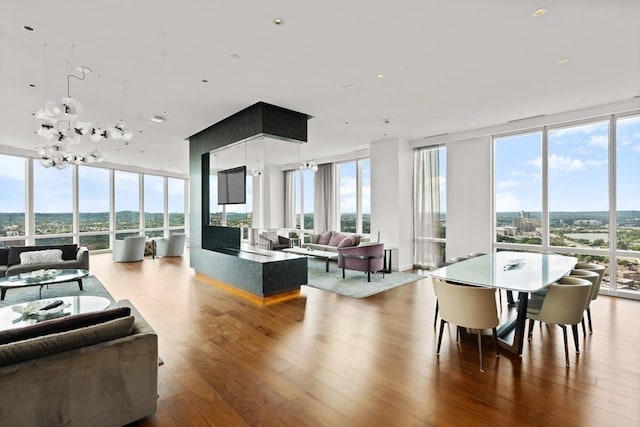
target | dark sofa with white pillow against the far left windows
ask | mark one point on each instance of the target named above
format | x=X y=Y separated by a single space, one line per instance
x=72 y=256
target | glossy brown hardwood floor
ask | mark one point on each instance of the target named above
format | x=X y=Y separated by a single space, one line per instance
x=327 y=360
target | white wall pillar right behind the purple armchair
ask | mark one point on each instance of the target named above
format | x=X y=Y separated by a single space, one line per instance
x=391 y=198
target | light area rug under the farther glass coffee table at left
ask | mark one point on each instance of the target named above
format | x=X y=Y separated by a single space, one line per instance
x=91 y=285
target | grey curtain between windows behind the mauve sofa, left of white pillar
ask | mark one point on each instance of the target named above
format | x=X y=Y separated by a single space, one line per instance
x=325 y=199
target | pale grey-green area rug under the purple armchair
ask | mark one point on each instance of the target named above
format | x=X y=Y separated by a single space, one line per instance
x=355 y=283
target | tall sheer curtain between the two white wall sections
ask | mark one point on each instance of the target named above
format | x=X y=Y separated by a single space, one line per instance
x=426 y=215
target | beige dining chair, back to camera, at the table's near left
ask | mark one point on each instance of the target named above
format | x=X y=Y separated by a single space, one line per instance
x=470 y=307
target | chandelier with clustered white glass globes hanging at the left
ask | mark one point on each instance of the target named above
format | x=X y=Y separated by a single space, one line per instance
x=60 y=128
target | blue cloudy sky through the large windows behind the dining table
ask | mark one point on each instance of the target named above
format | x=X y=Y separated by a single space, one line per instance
x=578 y=165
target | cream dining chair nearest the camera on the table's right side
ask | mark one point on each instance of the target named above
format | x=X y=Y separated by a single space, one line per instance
x=563 y=305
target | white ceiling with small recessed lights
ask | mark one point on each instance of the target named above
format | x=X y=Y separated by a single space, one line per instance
x=449 y=66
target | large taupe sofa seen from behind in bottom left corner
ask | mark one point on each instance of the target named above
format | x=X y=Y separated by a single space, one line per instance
x=104 y=374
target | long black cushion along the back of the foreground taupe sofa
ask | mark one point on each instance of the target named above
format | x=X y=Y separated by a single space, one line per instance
x=63 y=324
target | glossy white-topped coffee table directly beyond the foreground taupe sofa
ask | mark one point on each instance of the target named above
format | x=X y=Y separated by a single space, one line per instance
x=10 y=319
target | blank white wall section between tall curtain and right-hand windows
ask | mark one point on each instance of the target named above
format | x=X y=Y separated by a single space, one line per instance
x=469 y=197
